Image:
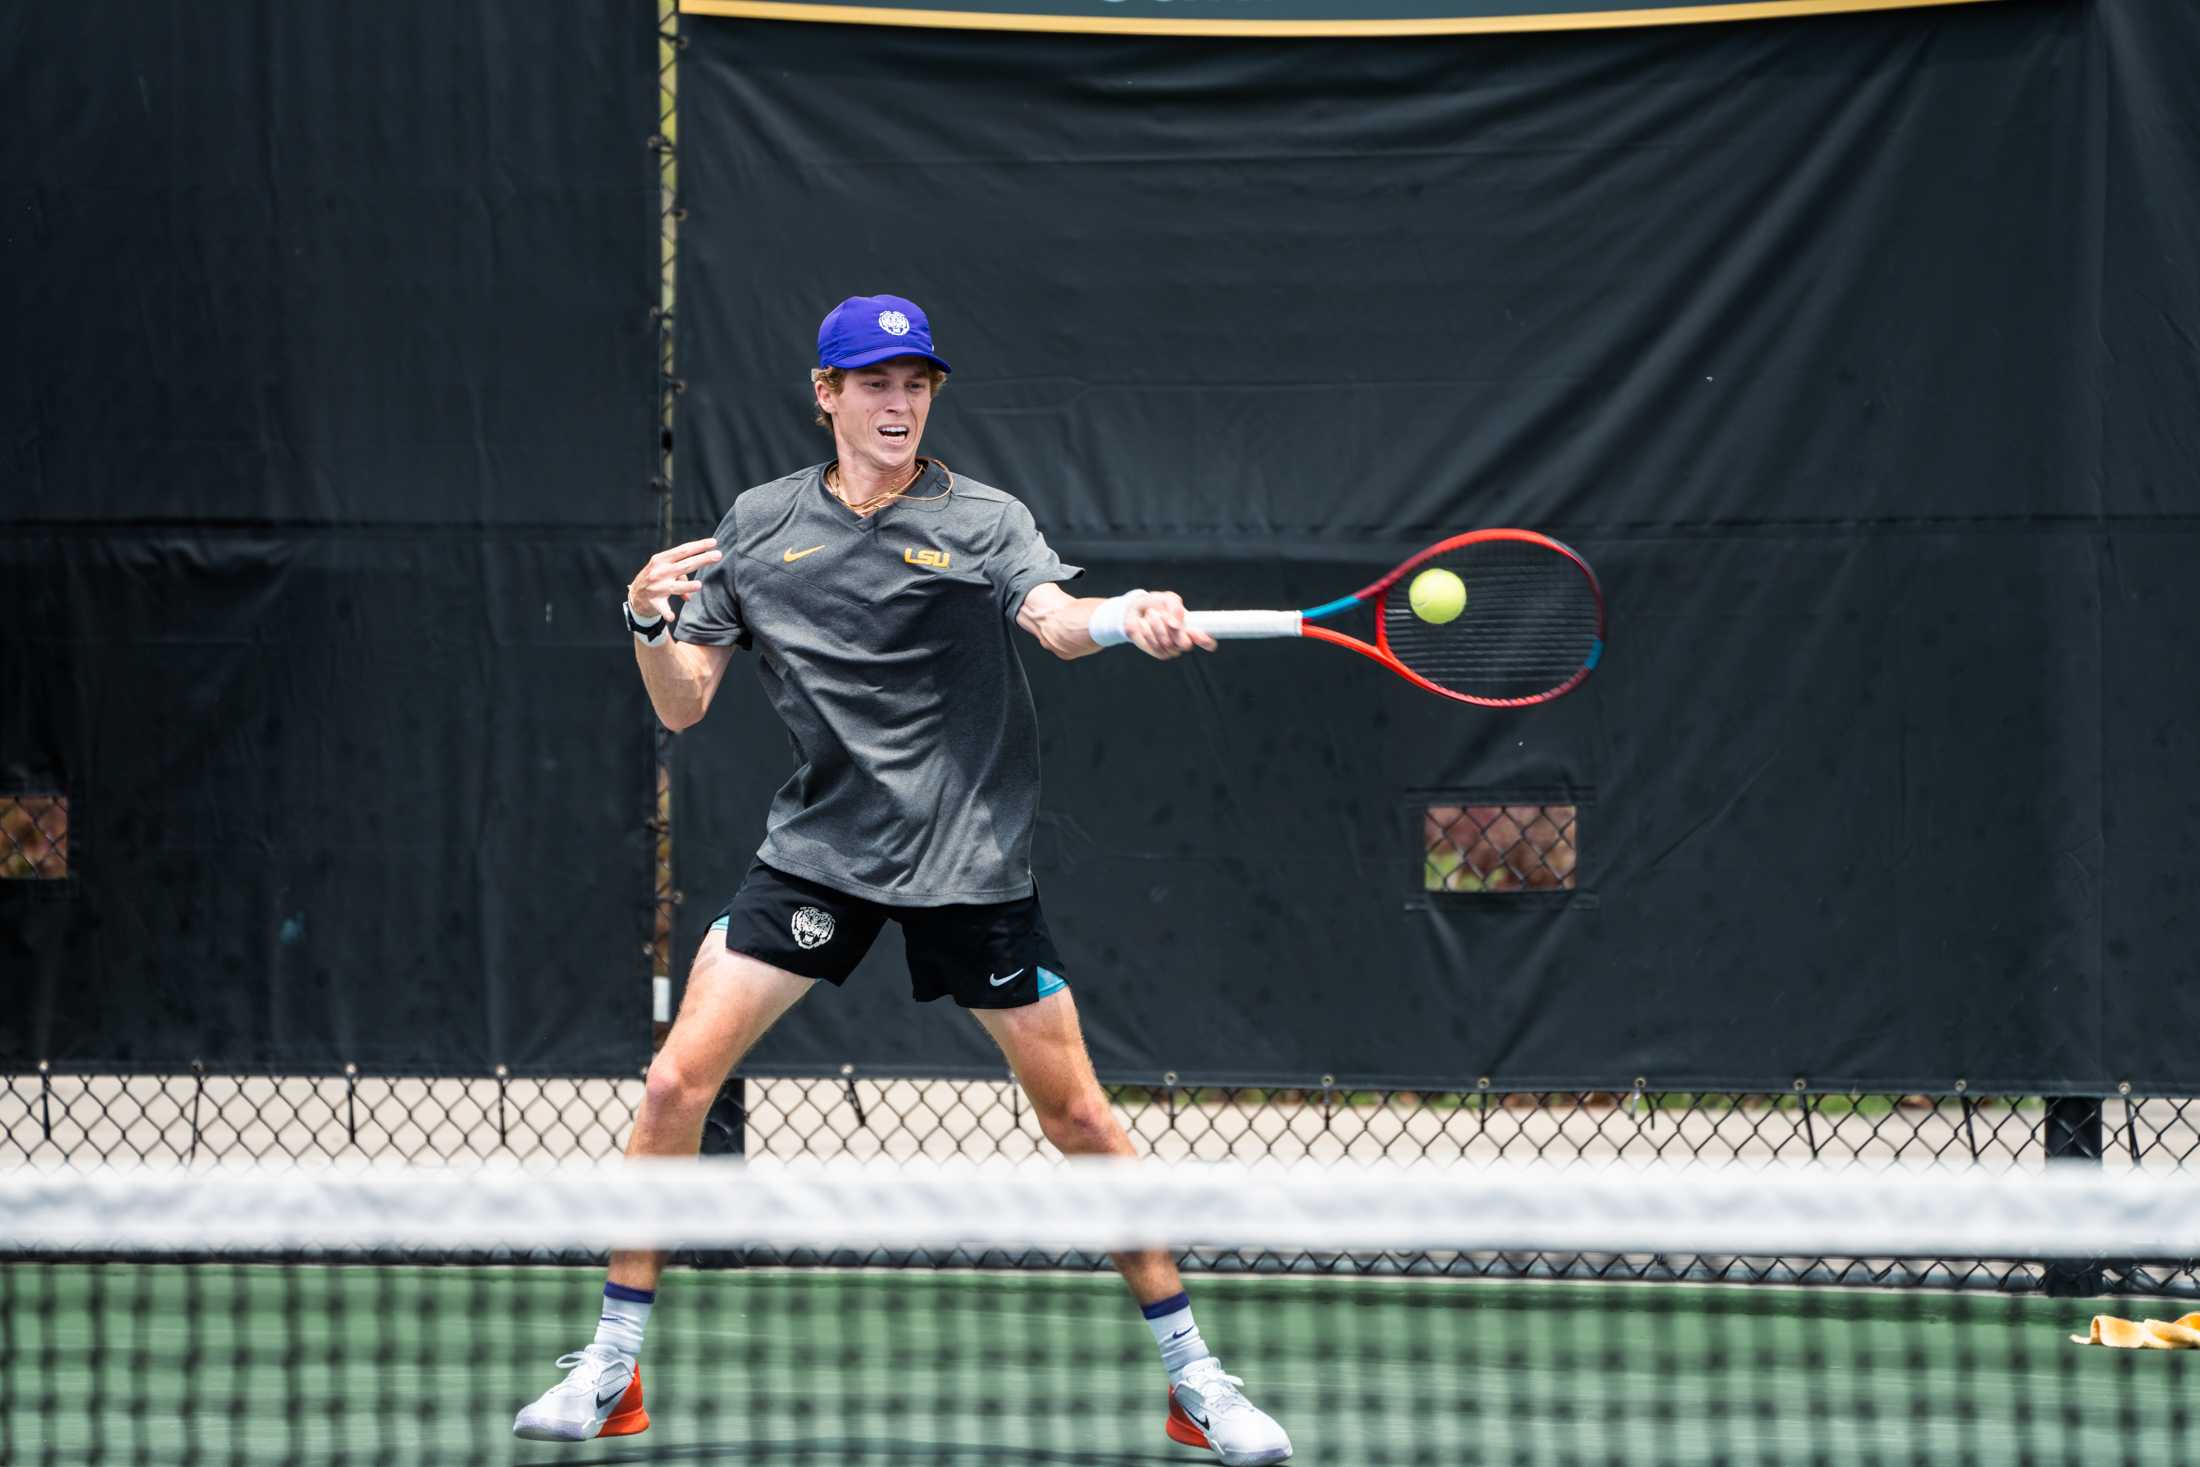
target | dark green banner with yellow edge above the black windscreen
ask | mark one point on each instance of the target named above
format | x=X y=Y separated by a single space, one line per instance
x=1284 y=16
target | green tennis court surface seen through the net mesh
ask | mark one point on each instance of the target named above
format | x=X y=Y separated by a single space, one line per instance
x=428 y=1365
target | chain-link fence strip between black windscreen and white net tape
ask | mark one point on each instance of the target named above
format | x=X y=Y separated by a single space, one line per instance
x=78 y=1123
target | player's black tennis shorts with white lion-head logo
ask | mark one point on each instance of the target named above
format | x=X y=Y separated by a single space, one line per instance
x=987 y=956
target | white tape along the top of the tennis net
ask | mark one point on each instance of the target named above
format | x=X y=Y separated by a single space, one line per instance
x=2062 y=1213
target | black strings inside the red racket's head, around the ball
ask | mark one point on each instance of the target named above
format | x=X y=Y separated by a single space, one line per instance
x=1530 y=626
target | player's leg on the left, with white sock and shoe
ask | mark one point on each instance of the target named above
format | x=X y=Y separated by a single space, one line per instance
x=731 y=1000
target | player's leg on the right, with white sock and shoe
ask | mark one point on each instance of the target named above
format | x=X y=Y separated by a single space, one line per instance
x=1207 y=1409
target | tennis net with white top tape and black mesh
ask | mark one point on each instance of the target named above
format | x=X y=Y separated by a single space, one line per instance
x=877 y=1319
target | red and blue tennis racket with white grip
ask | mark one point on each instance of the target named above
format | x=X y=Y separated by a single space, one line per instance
x=1532 y=626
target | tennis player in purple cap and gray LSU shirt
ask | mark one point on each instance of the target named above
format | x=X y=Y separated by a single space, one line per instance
x=879 y=593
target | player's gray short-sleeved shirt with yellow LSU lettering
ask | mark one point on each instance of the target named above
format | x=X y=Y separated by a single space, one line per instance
x=888 y=648
